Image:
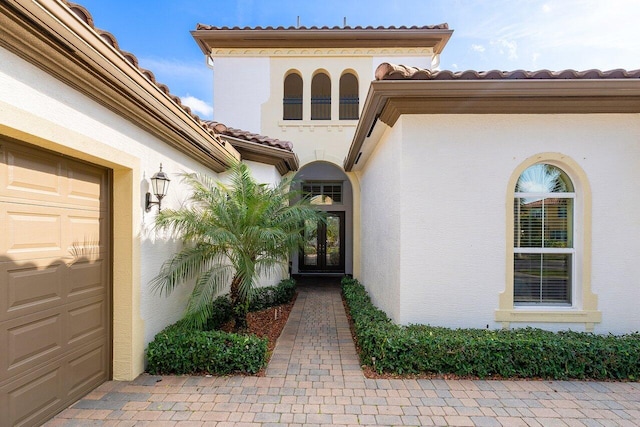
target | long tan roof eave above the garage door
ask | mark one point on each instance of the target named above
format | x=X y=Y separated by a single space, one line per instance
x=78 y=56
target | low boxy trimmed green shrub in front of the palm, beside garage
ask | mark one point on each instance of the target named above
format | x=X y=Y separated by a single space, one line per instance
x=177 y=350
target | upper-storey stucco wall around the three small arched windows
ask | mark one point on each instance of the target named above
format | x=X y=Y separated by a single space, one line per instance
x=248 y=93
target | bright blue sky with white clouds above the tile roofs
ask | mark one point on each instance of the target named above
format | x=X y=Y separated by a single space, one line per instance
x=488 y=34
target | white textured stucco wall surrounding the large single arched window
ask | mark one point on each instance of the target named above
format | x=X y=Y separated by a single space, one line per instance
x=452 y=173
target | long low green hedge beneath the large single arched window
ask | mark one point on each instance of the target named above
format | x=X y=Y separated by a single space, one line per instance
x=517 y=353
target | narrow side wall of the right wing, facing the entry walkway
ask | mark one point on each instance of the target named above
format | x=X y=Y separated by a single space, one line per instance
x=380 y=224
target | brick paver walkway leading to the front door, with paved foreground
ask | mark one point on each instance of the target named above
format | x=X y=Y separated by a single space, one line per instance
x=314 y=379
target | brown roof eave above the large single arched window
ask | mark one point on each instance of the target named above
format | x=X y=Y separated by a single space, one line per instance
x=387 y=100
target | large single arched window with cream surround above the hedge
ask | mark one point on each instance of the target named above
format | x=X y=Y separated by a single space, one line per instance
x=548 y=231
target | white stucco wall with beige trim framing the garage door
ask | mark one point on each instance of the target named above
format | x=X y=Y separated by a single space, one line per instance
x=39 y=109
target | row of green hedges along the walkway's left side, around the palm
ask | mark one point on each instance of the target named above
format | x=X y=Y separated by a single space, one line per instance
x=180 y=350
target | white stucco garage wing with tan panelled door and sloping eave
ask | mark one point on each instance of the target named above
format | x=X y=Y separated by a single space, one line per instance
x=82 y=131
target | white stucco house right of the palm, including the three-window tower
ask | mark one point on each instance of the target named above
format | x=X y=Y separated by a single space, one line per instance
x=441 y=175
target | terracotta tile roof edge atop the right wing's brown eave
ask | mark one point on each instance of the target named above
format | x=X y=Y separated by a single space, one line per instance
x=387 y=71
